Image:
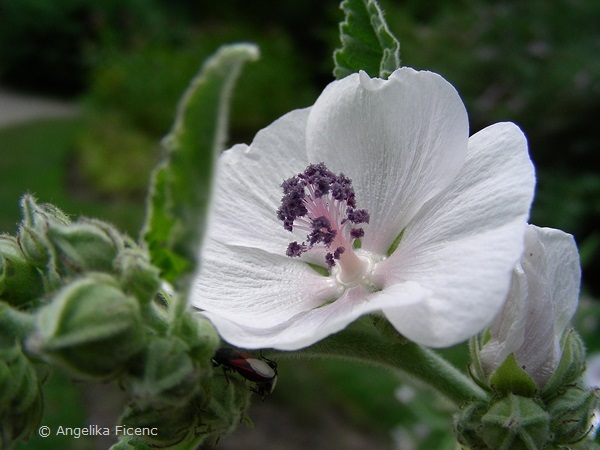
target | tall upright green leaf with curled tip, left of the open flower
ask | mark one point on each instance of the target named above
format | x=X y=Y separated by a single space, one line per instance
x=181 y=184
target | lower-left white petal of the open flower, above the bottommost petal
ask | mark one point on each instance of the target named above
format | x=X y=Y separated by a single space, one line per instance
x=250 y=286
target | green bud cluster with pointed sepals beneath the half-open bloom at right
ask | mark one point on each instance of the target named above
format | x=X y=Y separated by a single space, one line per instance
x=521 y=414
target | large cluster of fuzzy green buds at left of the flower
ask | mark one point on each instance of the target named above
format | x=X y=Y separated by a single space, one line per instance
x=80 y=296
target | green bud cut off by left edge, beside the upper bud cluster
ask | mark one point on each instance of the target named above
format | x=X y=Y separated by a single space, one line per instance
x=20 y=282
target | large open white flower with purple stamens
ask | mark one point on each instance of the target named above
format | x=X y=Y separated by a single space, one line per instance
x=459 y=204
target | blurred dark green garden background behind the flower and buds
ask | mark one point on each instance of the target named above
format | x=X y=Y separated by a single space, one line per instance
x=126 y=62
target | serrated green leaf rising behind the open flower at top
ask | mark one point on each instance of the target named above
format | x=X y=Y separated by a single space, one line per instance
x=367 y=43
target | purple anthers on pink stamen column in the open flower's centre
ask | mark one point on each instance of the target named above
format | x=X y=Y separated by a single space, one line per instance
x=323 y=205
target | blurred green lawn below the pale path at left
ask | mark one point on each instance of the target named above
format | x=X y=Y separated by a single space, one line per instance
x=34 y=158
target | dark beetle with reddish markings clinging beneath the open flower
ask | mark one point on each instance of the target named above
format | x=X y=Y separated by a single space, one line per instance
x=261 y=371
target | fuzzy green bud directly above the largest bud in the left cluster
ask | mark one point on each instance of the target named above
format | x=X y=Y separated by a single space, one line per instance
x=83 y=246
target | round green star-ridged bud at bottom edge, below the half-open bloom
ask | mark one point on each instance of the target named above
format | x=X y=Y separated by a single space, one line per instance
x=515 y=422
